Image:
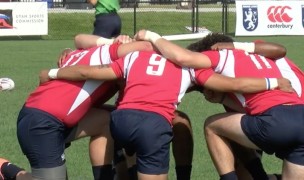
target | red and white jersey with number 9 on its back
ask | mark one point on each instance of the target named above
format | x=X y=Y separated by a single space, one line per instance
x=152 y=83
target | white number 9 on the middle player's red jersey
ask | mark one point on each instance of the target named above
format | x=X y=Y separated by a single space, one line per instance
x=156 y=65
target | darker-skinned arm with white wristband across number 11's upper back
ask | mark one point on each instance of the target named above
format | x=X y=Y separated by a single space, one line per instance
x=267 y=49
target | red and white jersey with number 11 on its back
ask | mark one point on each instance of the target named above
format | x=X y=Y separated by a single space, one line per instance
x=237 y=63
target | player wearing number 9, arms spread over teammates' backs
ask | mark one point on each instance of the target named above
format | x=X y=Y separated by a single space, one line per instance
x=154 y=87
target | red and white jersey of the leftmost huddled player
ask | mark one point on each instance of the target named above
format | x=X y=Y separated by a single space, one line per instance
x=70 y=100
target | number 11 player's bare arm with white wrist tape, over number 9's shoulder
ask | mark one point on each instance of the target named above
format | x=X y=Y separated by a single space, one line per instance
x=174 y=52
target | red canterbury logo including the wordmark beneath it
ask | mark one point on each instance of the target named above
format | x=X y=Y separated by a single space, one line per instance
x=279 y=17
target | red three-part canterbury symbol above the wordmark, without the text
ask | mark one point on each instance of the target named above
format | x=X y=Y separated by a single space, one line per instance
x=278 y=14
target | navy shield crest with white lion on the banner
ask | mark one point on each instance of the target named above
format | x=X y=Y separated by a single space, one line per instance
x=250 y=17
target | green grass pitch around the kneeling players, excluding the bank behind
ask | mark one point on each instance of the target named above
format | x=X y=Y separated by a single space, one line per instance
x=23 y=60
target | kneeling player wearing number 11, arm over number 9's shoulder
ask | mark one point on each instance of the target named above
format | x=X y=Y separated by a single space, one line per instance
x=270 y=110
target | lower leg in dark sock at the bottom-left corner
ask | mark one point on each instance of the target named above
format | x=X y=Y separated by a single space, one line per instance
x=11 y=171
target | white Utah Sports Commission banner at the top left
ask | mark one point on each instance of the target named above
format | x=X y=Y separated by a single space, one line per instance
x=23 y=18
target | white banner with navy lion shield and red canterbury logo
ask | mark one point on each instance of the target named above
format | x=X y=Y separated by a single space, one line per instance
x=265 y=18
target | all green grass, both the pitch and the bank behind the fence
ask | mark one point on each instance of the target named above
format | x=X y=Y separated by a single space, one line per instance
x=22 y=60
